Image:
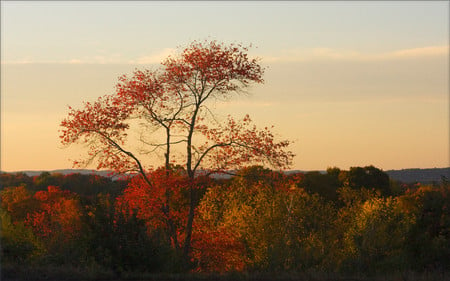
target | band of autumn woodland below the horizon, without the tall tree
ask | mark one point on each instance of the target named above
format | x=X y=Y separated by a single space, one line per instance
x=342 y=222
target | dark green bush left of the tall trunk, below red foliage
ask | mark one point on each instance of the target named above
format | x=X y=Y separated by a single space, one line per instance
x=122 y=242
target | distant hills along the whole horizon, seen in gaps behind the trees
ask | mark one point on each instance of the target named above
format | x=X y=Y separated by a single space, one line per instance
x=424 y=176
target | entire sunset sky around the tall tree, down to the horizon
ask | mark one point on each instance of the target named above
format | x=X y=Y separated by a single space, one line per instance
x=352 y=83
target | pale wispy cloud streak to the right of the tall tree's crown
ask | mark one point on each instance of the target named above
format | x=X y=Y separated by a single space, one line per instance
x=299 y=55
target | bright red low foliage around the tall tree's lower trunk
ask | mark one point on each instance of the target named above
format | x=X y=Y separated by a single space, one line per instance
x=213 y=250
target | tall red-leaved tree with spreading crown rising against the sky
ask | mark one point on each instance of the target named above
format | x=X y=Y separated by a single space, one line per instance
x=174 y=100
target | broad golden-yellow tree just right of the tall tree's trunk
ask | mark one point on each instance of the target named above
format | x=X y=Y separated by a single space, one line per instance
x=282 y=228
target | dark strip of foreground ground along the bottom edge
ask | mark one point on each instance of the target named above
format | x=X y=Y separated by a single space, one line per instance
x=16 y=273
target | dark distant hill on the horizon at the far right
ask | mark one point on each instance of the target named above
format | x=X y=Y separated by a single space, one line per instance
x=424 y=176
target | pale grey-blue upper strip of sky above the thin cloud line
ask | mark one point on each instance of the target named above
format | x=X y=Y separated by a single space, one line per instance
x=61 y=31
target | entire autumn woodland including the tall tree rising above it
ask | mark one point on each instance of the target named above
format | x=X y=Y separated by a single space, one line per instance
x=178 y=217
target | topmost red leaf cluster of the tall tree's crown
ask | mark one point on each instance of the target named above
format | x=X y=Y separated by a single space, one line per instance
x=212 y=65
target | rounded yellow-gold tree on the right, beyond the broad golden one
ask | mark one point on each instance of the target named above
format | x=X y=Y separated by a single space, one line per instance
x=376 y=239
